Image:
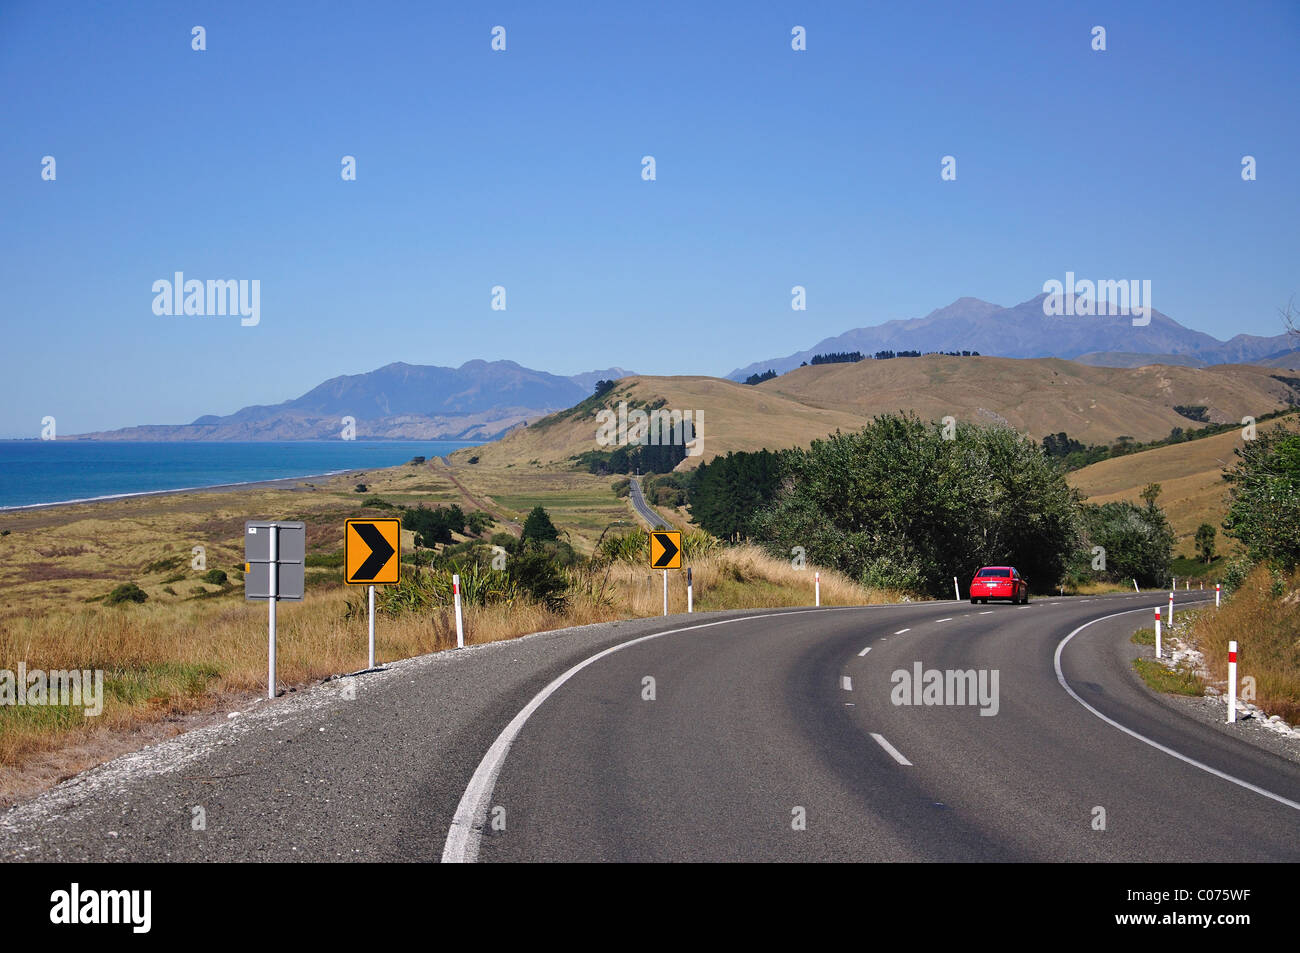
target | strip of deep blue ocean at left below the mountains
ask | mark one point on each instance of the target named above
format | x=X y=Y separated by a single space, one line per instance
x=64 y=471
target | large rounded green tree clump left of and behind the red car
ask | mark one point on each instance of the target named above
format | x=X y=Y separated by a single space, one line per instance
x=898 y=505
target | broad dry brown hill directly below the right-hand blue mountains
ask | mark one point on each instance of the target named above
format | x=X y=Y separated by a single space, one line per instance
x=1038 y=397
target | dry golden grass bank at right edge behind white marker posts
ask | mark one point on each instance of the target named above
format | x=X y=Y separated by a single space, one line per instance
x=1267 y=629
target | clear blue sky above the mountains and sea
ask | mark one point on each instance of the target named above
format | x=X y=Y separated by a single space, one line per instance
x=523 y=170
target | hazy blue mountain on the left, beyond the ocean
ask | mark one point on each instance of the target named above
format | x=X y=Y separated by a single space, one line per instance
x=478 y=401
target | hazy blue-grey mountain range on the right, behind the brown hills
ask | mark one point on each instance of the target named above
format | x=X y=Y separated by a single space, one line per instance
x=1024 y=331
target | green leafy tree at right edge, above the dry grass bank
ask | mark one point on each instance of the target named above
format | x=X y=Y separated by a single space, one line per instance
x=1264 y=497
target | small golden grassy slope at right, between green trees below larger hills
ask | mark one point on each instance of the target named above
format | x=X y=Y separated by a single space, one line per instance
x=1193 y=488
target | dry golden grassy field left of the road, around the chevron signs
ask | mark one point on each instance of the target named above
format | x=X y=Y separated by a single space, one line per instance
x=194 y=647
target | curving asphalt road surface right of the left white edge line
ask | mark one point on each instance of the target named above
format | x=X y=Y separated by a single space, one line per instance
x=760 y=724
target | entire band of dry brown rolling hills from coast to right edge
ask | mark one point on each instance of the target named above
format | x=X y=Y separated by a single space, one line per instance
x=1037 y=397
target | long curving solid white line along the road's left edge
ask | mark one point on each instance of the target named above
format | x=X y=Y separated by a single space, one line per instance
x=466 y=830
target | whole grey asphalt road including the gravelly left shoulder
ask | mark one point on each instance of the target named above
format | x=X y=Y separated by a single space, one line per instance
x=505 y=753
